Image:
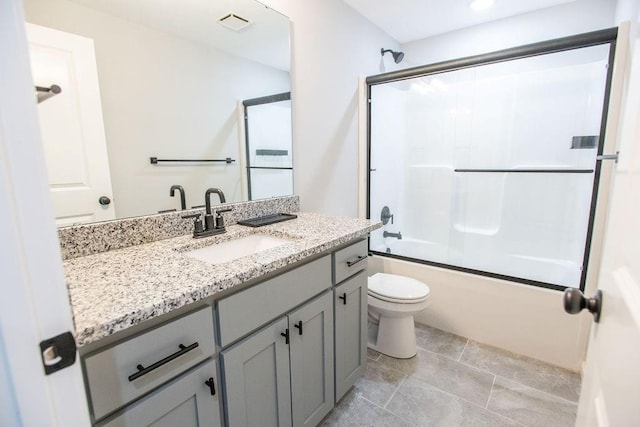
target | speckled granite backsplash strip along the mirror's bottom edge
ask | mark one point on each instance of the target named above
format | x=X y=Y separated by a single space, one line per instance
x=87 y=239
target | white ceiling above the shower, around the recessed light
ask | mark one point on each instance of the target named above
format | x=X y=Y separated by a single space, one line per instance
x=409 y=20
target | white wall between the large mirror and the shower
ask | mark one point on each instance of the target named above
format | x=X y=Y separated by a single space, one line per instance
x=332 y=46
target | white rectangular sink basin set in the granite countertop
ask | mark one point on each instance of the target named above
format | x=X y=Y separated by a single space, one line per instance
x=219 y=253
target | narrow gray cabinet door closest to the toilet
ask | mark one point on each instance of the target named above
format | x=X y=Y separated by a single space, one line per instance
x=350 y=332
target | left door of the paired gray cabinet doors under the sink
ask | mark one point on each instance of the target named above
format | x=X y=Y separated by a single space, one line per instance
x=257 y=380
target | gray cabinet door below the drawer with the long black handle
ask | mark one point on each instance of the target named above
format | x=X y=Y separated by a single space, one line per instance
x=186 y=401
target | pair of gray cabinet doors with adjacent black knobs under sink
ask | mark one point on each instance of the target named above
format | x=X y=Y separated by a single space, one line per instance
x=282 y=375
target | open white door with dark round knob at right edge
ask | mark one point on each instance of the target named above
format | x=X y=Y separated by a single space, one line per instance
x=611 y=383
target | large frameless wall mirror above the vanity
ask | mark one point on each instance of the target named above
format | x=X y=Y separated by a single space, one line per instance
x=171 y=78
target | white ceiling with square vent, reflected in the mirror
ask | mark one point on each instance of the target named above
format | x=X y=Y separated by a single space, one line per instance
x=265 y=41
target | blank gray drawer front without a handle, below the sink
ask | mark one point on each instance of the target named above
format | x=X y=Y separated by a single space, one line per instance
x=248 y=310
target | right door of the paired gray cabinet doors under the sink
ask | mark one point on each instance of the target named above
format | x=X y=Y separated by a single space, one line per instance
x=311 y=352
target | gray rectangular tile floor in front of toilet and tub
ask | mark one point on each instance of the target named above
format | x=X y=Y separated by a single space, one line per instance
x=454 y=381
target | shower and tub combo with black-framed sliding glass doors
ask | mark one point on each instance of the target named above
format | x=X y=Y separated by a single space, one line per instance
x=485 y=172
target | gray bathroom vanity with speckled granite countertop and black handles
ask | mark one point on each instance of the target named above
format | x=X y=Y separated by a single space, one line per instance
x=272 y=338
